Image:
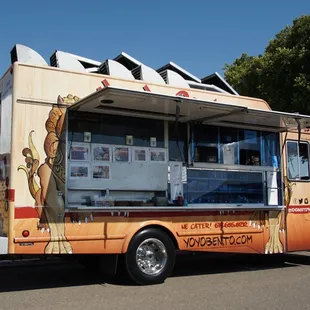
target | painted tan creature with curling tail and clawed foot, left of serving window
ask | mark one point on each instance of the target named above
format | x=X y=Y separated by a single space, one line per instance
x=49 y=193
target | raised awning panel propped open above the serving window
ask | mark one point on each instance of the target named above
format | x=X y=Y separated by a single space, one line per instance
x=126 y=102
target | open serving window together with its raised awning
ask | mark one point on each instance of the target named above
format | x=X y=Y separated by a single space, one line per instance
x=149 y=149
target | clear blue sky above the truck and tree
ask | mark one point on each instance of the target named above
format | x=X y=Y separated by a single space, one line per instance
x=197 y=35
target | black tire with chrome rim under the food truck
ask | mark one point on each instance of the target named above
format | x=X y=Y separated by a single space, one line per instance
x=150 y=257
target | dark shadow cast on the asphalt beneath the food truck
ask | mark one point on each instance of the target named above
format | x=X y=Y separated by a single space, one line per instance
x=69 y=273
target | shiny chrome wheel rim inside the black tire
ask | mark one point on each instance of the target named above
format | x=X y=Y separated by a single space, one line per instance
x=151 y=256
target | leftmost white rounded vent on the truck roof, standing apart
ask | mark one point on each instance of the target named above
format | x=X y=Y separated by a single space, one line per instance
x=26 y=55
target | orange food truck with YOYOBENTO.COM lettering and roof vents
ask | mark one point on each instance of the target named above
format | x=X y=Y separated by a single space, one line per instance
x=115 y=159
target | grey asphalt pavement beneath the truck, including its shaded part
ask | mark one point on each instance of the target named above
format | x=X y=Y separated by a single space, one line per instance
x=199 y=281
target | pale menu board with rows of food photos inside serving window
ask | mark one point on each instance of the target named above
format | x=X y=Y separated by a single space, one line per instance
x=117 y=167
